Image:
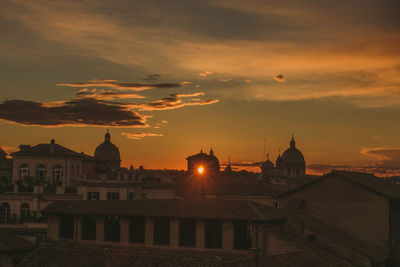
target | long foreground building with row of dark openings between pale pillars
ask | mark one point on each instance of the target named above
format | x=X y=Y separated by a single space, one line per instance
x=194 y=232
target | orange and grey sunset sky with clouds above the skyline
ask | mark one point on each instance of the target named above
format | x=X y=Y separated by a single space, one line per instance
x=169 y=78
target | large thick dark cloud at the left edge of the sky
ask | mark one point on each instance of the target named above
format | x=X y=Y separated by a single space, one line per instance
x=77 y=112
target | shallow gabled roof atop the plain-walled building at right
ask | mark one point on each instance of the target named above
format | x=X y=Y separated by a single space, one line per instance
x=365 y=180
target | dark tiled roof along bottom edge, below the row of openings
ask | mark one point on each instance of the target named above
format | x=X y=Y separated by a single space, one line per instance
x=59 y=254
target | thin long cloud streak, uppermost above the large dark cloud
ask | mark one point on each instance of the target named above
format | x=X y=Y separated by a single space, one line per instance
x=115 y=84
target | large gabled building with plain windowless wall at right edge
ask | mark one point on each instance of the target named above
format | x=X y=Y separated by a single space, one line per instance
x=358 y=203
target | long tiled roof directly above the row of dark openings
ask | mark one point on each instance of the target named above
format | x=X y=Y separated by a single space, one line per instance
x=176 y=208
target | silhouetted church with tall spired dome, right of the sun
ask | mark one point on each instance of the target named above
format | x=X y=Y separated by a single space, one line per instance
x=289 y=166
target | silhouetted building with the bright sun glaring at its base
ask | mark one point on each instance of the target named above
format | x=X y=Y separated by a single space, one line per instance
x=202 y=163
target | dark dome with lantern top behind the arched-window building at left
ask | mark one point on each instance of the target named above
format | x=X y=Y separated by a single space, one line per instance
x=107 y=155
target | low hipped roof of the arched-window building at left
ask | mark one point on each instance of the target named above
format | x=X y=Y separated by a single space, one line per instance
x=44 y=150
